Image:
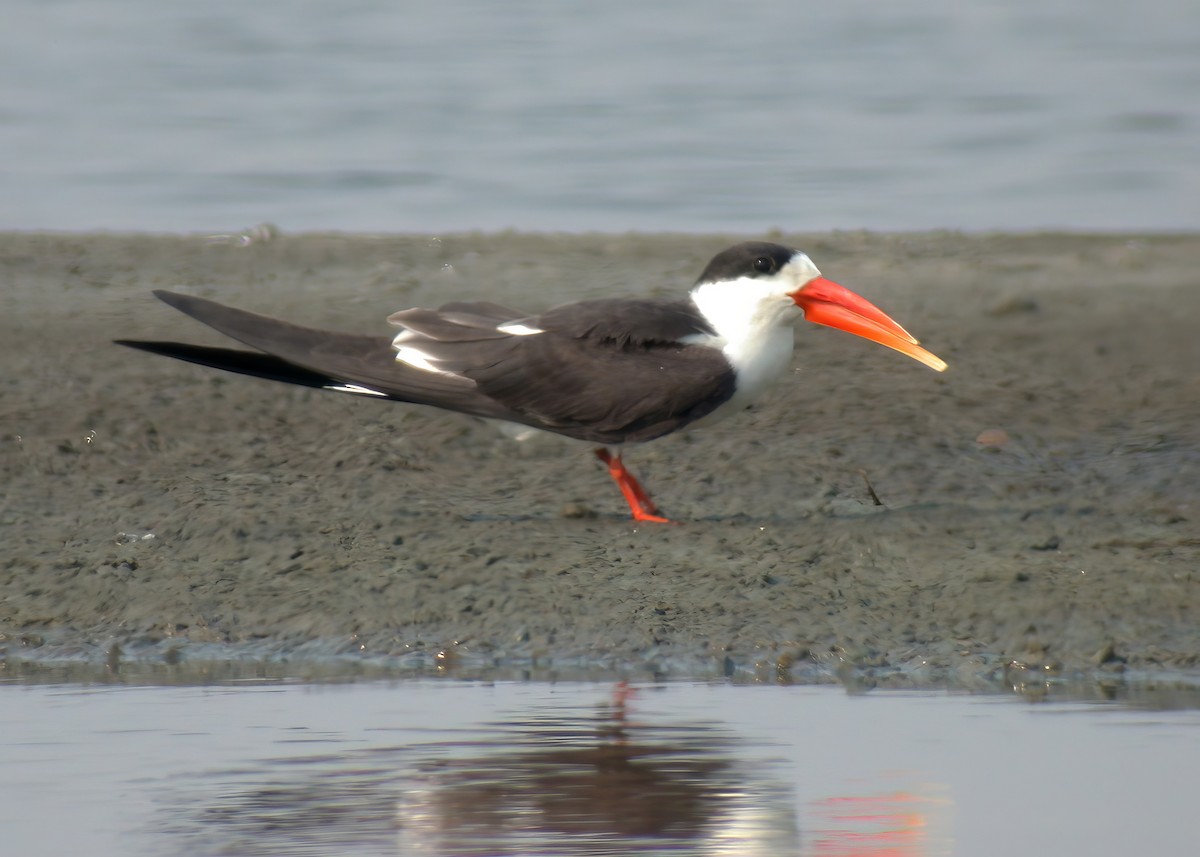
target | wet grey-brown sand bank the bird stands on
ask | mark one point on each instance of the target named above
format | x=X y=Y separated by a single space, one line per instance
x=1040 y=501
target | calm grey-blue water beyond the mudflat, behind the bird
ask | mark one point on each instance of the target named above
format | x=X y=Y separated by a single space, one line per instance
x=700 y=116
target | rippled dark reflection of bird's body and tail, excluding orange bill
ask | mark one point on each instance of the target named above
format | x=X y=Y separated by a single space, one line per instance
x=596 y=783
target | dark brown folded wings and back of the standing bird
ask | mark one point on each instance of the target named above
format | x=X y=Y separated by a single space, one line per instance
x=610 y=371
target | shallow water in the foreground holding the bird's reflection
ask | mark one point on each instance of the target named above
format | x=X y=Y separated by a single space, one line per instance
x=448 y=768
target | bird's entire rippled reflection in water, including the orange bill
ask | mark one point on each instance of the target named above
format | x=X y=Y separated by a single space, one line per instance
x=557 y=781
